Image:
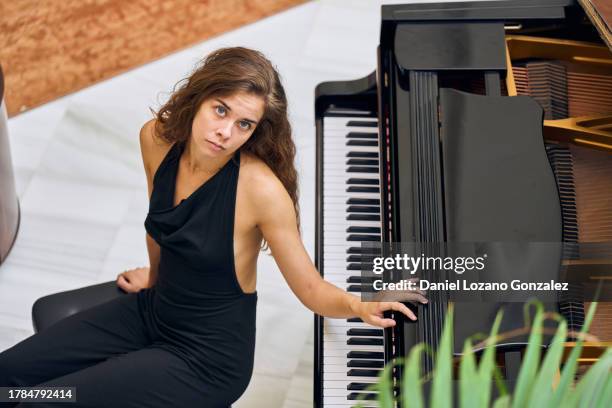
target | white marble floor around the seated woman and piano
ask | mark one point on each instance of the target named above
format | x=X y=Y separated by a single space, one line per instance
x=83 y=194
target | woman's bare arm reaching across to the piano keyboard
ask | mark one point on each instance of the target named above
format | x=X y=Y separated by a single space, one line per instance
x=277 y=221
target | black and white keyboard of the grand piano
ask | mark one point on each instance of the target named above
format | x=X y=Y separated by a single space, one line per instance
x=353 y=351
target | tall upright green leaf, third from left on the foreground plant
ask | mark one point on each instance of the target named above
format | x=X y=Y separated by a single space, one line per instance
x=442 y=388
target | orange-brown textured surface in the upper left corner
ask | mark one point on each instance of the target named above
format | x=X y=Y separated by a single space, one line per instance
x=51 y=48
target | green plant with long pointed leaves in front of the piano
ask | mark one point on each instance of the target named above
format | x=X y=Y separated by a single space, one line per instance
x=541 y=382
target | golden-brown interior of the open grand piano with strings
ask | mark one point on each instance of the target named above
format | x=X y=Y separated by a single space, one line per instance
x=582 y=127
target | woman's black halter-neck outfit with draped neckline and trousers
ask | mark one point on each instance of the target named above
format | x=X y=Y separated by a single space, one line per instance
x=186 y=342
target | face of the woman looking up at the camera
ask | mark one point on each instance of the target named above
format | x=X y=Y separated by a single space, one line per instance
x=224 y=123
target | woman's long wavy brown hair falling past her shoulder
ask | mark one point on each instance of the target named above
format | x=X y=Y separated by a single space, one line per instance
x=222 y=73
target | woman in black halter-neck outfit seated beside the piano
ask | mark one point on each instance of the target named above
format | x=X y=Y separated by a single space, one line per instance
x=219 y=165
